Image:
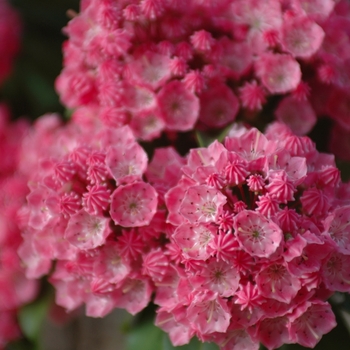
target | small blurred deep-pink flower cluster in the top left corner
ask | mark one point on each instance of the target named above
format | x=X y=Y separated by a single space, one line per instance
x=10 y=28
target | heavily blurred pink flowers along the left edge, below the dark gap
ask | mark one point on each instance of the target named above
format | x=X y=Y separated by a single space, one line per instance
x=15 y=289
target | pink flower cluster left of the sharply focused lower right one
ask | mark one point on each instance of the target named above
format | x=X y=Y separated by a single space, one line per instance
x=91 y=212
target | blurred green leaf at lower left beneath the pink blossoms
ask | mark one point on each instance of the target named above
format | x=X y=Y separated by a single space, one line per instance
x=32 y=316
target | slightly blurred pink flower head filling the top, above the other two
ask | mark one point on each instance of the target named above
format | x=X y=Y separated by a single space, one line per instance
x=166 y=66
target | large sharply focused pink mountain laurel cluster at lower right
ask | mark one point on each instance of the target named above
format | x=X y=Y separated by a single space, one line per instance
x=260 y=240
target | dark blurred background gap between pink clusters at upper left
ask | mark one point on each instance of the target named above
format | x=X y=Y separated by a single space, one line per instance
x=29 y=90
